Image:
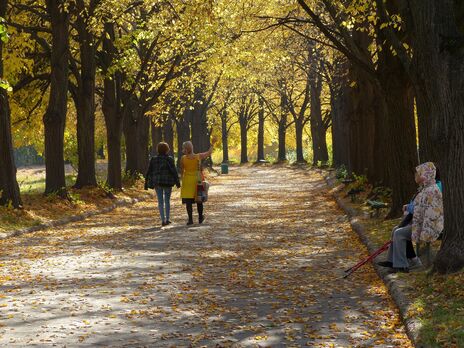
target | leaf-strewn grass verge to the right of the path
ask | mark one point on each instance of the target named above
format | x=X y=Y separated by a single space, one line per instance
x=437 y=301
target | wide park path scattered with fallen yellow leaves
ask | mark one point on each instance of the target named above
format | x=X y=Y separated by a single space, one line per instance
x=263 y=271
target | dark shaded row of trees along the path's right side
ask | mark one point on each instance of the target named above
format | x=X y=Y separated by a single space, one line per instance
x=398 y=56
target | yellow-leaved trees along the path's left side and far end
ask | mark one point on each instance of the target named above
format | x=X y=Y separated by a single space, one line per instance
x=168 y=64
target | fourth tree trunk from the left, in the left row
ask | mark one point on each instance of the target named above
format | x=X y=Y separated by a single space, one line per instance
x=112 y=111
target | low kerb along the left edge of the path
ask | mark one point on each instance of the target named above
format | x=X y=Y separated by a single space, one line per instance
x=72 y=218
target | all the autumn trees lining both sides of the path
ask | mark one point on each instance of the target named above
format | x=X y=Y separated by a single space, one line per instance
x=368 y=70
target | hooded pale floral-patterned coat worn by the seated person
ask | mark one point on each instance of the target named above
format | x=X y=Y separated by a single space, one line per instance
x=428 y=219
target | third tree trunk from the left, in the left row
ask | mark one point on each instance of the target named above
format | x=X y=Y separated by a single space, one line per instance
x=85 y=106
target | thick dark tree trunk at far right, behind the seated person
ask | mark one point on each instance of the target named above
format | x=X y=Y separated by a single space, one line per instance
x=439 y=82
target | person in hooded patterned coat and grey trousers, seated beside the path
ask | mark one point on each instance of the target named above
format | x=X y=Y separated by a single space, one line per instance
x=427 y=222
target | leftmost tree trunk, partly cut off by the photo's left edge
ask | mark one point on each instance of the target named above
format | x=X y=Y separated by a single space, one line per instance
x=9 y=189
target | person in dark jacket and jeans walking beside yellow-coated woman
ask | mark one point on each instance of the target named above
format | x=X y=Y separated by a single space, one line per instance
x=162 y=176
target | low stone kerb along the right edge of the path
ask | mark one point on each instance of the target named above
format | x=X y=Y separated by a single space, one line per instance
x=402 y=301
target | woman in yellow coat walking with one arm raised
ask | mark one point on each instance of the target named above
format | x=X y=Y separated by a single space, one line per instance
x=189 y=165
